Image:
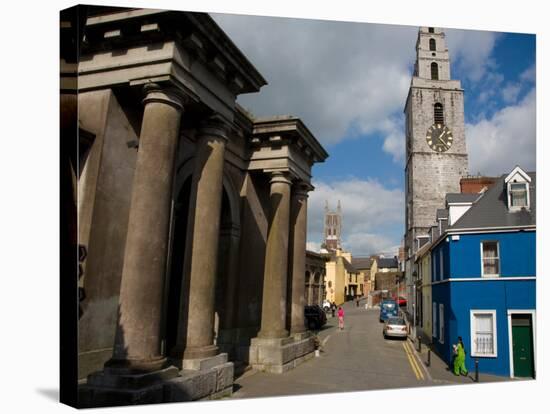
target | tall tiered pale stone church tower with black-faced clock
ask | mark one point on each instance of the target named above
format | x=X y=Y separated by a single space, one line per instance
x=435 y=142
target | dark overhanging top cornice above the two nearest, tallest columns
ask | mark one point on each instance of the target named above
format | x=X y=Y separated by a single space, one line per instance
x=195 y=32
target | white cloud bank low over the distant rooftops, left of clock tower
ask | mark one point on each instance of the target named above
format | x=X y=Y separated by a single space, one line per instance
x=369 y=209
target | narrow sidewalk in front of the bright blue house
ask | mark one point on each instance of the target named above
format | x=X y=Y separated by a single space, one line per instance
x=440 y=372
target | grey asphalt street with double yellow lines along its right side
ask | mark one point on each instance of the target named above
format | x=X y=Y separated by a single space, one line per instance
x=357 y=358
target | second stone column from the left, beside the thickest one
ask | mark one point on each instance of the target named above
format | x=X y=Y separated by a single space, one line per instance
x=207 y=185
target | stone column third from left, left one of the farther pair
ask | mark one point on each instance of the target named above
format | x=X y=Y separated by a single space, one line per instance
x=276 y=260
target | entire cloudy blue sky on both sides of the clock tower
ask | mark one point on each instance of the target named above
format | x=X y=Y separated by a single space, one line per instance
x=348 y=82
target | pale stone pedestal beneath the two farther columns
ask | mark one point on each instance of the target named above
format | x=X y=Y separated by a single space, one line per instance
x=278 y=355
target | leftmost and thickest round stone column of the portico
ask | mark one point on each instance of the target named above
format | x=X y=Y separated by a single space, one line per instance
x=138 y=337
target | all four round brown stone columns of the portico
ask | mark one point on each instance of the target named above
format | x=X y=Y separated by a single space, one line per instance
x=138 y=343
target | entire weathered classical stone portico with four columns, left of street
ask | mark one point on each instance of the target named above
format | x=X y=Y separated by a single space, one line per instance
x=193 y=213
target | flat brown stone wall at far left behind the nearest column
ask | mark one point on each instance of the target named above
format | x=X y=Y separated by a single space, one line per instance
x=104 y=189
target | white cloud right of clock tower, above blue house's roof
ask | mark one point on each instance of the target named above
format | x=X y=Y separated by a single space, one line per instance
x=497 y=144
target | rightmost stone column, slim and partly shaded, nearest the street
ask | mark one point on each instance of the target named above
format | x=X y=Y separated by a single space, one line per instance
x=298 y=257
